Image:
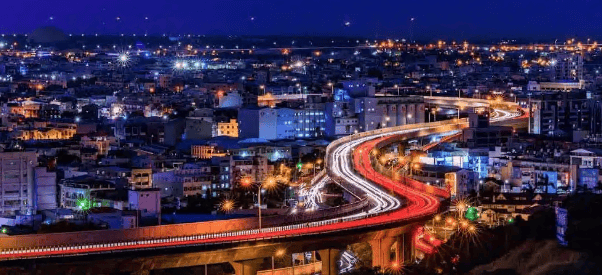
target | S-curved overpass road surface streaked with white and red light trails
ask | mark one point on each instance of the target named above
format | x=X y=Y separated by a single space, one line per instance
x=392 y=203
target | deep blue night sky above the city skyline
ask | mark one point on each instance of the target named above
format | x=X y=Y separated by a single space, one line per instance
x=463 y=19
